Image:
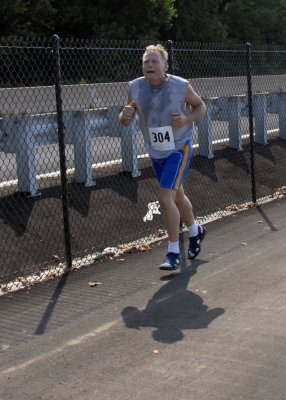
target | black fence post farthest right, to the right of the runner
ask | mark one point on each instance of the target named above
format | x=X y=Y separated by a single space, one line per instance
x=250 y=119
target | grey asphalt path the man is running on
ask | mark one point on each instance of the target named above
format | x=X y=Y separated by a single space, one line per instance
x=216 y=331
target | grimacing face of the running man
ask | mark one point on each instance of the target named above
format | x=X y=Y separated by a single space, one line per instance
x=154 y=66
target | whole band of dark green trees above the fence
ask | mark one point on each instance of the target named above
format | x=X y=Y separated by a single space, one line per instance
x=217 y=21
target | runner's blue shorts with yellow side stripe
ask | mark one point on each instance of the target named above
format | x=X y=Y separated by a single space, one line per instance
x=172 y=170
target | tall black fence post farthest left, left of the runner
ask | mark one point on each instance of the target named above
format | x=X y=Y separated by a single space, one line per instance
x=61 y=140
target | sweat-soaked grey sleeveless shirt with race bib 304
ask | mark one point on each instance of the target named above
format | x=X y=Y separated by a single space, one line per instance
x=156 y=103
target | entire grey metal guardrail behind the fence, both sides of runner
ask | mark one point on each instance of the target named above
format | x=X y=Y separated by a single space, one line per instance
x=22 y=133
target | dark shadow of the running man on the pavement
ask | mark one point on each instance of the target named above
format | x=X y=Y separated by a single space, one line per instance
x=172 y=309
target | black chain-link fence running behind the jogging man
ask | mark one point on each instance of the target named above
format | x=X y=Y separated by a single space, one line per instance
x=74 y=181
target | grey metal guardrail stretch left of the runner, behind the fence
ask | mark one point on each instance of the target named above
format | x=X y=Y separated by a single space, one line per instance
x=22 y=133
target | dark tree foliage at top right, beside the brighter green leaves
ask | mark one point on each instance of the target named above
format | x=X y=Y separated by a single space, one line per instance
x=231 y=21
